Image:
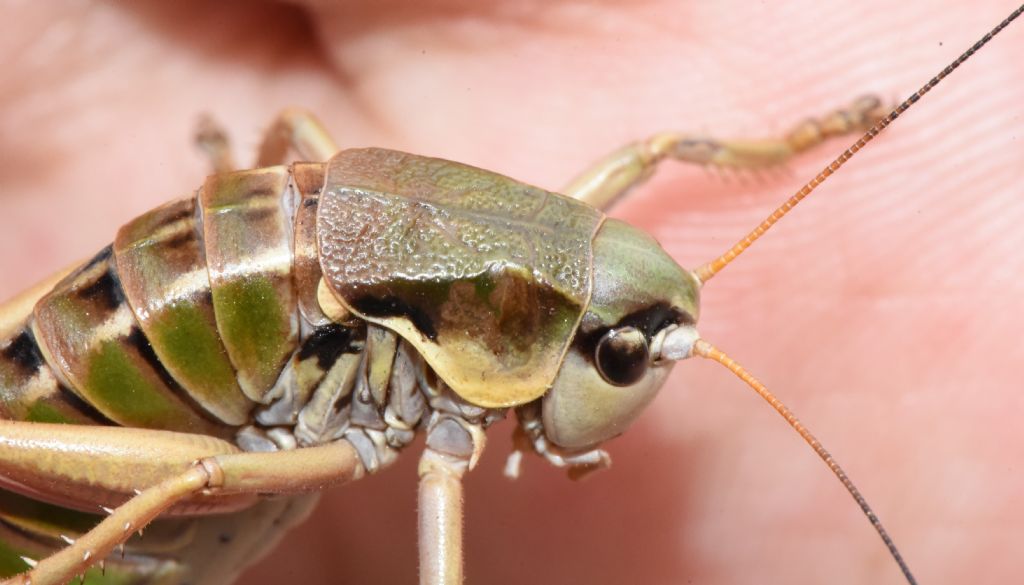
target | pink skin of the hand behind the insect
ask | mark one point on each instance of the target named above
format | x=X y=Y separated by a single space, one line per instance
x=886 y=311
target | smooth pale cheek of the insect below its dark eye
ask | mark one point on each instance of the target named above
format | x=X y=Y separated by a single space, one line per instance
x=583 y=410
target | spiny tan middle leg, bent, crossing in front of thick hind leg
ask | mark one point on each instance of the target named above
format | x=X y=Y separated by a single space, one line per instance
x=248 y=474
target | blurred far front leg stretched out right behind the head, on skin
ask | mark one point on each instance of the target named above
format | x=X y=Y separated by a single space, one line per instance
x=614 y=177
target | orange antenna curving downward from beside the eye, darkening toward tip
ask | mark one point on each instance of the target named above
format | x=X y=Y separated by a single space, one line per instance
x=706 y=350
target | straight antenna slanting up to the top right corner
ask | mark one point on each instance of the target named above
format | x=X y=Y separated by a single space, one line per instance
x=709 y=270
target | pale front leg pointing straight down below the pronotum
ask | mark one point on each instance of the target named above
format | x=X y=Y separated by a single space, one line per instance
x=453 y=447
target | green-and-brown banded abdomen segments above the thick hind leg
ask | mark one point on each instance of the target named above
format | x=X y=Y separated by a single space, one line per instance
x=185 y=323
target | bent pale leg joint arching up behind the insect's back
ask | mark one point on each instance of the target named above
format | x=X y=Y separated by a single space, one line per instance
x=300 y=131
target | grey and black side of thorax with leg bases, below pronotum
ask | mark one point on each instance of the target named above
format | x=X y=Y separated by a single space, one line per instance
x=360 y=383
